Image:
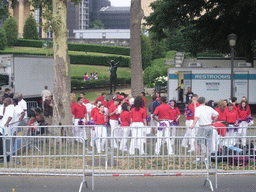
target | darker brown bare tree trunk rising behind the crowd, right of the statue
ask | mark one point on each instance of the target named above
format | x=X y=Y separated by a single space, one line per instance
x=137 y=14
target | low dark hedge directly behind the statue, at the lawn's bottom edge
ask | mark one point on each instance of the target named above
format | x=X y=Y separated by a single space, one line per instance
x=99 y=83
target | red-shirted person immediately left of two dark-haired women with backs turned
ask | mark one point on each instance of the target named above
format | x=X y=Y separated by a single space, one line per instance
x=113 y=113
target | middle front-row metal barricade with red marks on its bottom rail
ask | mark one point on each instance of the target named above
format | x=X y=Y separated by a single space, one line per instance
x=143 y=156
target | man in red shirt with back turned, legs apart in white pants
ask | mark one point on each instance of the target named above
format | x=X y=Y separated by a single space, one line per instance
x=163 y=112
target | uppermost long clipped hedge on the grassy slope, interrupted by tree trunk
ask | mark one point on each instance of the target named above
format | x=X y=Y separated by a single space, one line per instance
x=78 y=47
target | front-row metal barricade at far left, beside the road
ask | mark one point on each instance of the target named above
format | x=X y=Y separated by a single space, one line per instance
x=55 y=157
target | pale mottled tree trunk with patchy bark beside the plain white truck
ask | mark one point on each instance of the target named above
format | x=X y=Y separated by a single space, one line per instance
x=62 y=84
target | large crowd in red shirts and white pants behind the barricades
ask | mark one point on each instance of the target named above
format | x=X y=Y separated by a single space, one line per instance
x=232 y=119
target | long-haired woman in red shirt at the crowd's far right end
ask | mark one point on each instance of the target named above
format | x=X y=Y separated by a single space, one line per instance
x=243 y=112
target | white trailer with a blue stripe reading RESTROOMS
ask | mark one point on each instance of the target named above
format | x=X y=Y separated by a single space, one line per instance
x=213 y=82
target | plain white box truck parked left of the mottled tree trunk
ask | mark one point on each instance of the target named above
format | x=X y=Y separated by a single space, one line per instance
x=26 y=74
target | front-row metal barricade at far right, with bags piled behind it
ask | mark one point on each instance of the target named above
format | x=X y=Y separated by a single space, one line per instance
x=235 y=153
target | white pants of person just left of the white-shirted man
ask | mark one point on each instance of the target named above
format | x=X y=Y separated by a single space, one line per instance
x=190 y=135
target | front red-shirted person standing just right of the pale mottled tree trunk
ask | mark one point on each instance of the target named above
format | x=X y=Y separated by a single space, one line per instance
x=79 y=113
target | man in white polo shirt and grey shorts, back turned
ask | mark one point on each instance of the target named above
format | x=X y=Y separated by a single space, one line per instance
x=203 y=115
